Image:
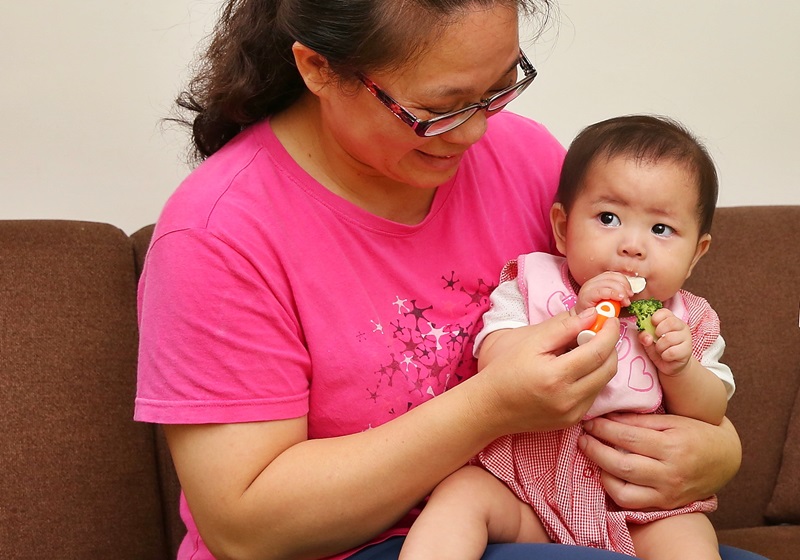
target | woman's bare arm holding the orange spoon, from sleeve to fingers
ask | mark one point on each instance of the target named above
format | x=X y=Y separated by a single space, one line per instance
x=262 y=490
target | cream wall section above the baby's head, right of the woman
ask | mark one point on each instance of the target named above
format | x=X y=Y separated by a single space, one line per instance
x=728 y=69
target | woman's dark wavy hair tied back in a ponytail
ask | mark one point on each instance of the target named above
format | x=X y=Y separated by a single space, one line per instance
x=248 y=72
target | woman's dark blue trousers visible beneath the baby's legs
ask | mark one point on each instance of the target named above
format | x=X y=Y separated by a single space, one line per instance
x=390 y=549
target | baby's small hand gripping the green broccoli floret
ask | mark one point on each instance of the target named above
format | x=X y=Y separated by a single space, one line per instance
x=672 y=348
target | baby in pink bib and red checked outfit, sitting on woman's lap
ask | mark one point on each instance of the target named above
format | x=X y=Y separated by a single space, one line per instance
x=632 y=218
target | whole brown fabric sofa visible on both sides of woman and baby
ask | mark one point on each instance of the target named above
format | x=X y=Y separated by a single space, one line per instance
x=81 y=480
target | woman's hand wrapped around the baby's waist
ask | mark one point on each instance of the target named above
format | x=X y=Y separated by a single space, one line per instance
x=670 y=460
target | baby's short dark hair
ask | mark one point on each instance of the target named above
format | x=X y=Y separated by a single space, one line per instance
x=644 y=138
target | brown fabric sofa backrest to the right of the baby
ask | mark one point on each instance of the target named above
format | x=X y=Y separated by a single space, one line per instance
x=751 y=276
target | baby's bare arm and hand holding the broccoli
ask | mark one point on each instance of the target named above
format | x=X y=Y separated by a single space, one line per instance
x=689 y=388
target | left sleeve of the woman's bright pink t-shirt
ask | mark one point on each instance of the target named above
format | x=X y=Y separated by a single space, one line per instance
x=219 y=342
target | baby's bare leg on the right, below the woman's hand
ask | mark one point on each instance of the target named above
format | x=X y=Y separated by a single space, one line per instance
x=676 y=538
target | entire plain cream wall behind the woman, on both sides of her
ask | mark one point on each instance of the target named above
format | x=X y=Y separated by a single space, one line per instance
x=85 y=84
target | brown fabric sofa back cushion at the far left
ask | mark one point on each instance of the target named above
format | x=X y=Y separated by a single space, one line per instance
x=78 y=476
